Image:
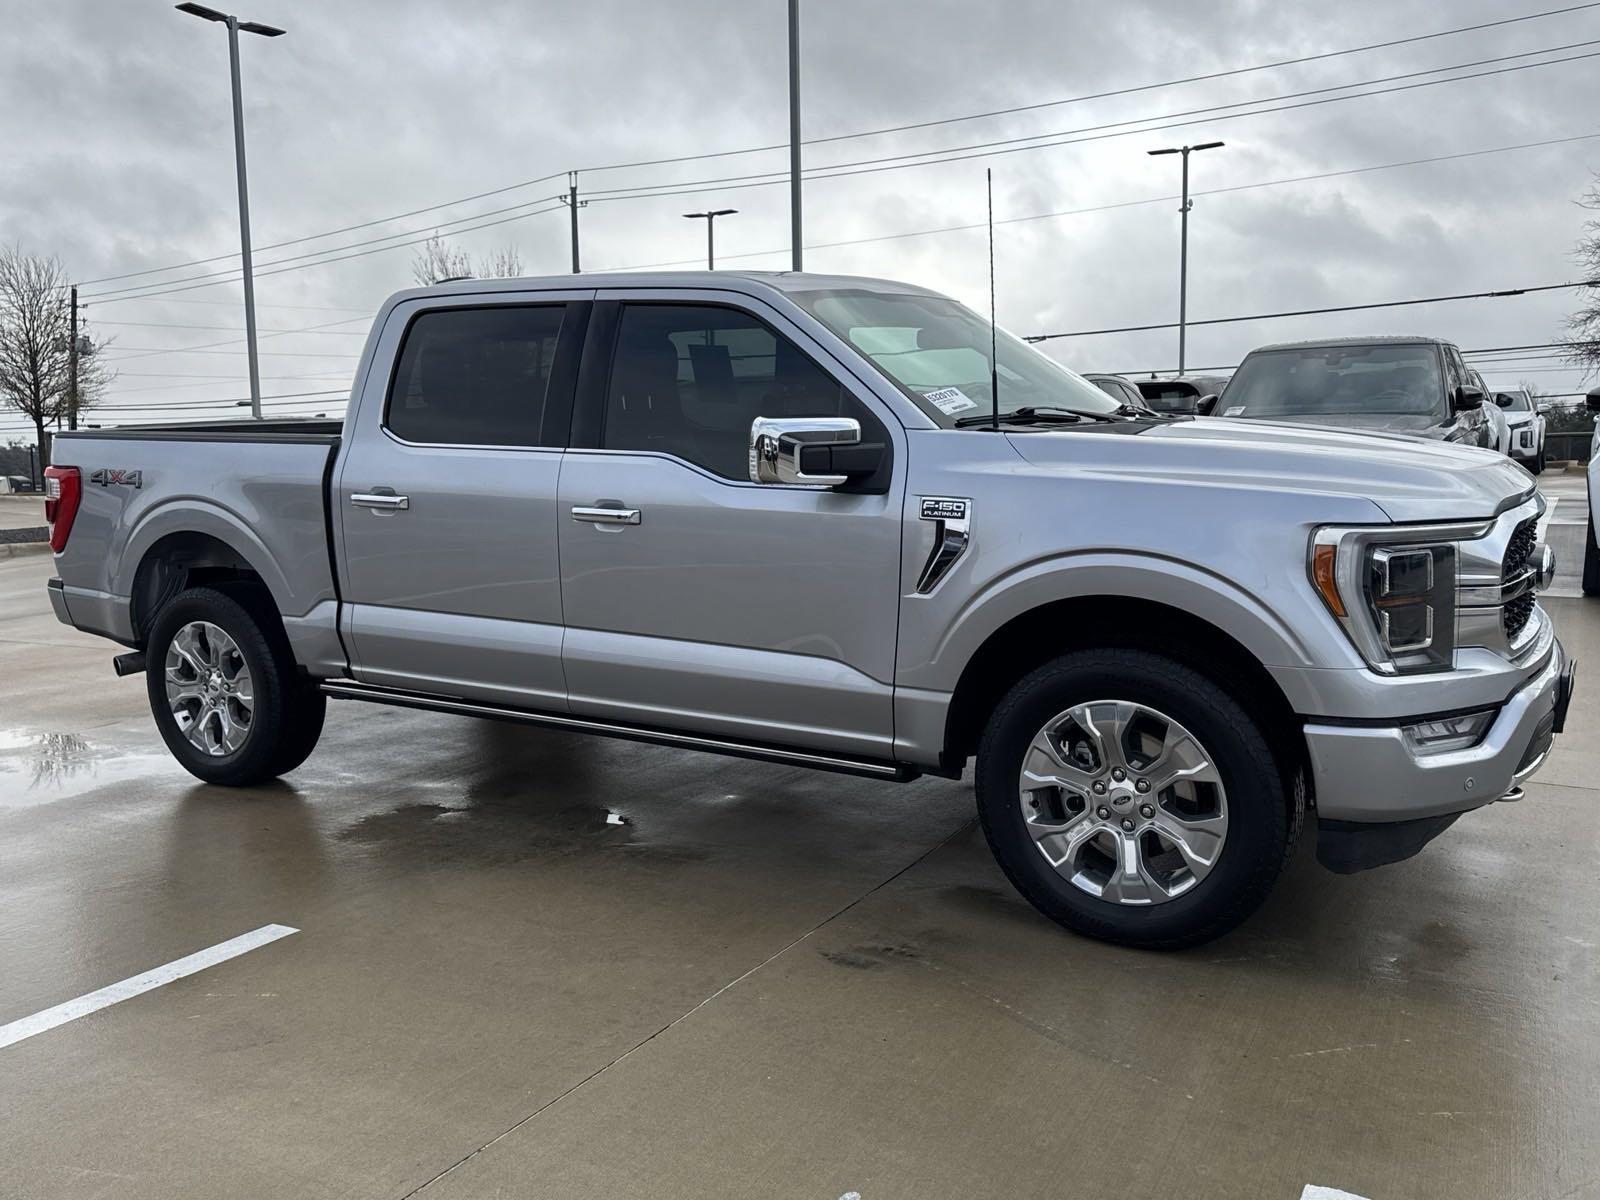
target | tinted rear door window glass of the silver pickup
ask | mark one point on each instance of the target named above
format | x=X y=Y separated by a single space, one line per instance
x=476 y=377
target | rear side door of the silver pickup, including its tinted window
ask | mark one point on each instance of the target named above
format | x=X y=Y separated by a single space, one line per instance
x=447 y=498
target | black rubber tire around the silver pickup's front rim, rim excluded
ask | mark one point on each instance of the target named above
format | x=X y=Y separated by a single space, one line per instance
x=1265 y=810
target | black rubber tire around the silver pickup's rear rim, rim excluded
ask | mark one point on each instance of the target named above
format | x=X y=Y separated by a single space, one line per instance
x=287 y=713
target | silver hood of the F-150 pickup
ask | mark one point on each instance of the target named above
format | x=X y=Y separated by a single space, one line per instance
x=1409 y=479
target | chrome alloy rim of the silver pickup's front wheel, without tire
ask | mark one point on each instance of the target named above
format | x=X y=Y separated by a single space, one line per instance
x=1124 y=802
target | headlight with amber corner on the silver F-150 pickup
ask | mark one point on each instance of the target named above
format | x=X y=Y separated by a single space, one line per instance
x=1394 y=593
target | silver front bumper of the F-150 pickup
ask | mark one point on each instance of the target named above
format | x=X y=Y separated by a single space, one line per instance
x=1372 y=775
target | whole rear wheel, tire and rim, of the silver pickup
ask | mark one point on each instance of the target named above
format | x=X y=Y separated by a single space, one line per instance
x=225 y=690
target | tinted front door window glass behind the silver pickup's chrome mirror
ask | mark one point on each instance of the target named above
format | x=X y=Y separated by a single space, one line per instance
x=689 y=380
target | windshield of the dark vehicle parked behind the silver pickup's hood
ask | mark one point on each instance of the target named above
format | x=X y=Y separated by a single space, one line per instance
x=1338 y=380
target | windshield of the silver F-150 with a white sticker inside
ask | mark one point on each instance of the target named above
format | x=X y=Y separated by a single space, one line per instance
x=937 y=353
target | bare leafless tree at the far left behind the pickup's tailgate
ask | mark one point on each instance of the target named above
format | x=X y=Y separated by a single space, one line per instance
x=36 y=351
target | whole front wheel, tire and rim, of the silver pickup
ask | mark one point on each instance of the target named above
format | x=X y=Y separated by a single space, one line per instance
x=1134 y=801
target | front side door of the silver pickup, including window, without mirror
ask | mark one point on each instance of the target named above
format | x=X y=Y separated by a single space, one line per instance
x=694 y=598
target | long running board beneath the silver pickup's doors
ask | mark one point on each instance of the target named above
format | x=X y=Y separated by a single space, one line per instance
x=639 y=734
